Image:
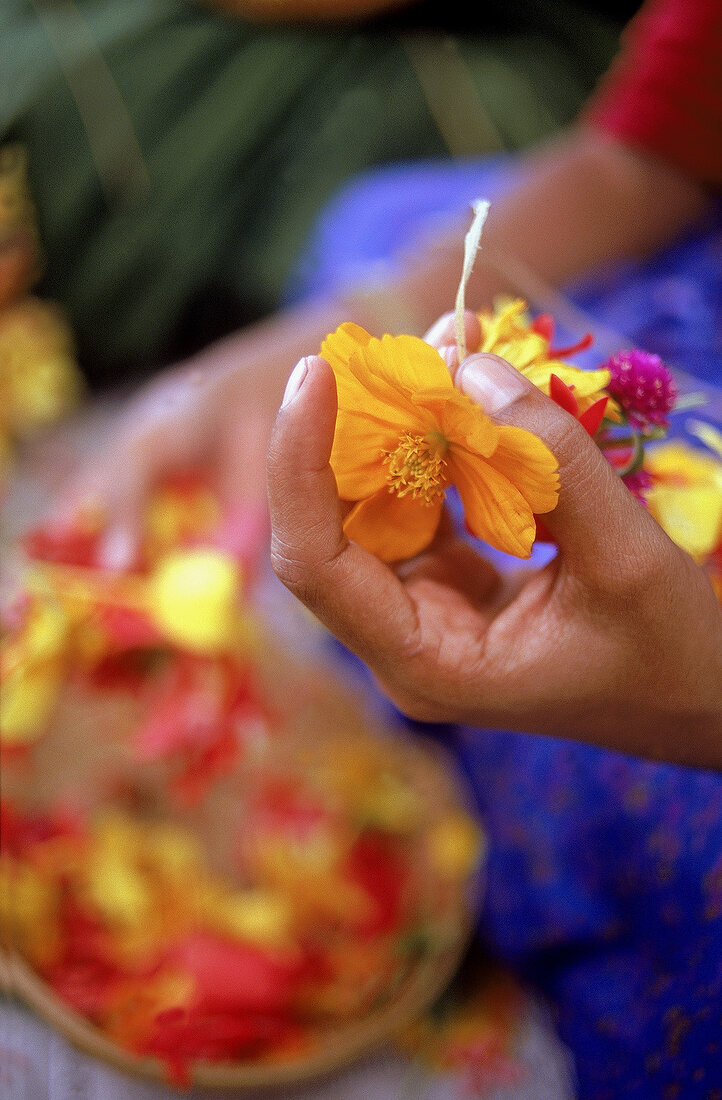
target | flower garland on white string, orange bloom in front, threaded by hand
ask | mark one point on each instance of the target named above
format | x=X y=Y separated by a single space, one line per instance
x=404 y=436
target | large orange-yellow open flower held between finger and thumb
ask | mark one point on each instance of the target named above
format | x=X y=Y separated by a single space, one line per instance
x=404 y=435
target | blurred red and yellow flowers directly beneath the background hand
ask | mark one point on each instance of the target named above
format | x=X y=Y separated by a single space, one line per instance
x=180 y=631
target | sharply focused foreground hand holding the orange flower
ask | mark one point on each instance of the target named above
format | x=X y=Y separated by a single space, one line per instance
x=617 y=642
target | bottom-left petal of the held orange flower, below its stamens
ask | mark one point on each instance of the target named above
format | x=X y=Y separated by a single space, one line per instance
x=393 y=527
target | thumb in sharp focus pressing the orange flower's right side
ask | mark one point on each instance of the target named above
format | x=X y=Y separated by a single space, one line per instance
x=598 y=524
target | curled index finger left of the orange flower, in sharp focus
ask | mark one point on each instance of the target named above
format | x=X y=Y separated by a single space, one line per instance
x=343 y=585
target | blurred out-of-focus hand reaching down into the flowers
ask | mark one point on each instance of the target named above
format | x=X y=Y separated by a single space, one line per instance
x=213 y=415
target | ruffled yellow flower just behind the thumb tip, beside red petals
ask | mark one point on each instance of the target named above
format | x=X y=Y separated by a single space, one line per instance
x=508 y=333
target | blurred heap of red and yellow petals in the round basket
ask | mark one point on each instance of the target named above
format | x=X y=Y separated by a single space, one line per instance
x=332 y=899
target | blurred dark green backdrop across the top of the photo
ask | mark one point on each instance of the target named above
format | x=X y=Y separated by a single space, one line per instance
x=245 y=133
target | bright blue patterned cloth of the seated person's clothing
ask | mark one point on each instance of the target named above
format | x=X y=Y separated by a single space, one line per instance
x=606 y=872
